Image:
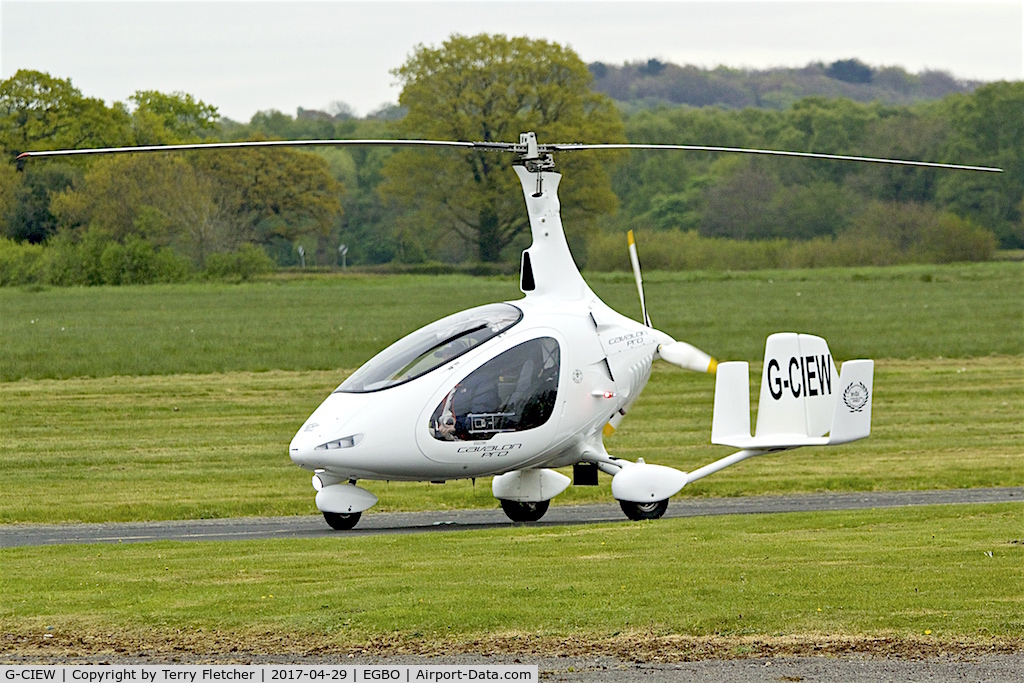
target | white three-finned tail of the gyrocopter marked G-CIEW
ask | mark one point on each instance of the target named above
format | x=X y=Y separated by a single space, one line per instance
x=802 y=398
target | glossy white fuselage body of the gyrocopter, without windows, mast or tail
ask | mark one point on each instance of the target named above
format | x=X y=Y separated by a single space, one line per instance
x=606 y=361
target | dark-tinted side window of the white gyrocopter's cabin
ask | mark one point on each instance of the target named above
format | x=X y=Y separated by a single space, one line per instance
x=514 y=392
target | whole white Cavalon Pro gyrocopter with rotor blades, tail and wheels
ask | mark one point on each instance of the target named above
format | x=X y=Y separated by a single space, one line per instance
x=519 y=390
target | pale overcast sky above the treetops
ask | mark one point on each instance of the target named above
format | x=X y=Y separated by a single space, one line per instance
x=244 y=57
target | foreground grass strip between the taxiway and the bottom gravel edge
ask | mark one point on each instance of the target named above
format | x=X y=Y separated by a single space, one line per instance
x=943 y=573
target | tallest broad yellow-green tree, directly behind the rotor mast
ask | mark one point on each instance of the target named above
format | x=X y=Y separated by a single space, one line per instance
x=492 y=89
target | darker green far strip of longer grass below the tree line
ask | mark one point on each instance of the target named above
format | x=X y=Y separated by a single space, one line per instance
x=331 y=323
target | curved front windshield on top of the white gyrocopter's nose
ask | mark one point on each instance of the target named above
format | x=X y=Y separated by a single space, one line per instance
x=432 y=347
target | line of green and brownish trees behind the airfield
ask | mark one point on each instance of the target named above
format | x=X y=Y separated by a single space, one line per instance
x=249 y=210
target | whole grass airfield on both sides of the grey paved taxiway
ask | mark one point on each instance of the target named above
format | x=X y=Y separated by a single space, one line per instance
x=179 y=403
